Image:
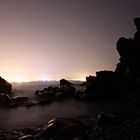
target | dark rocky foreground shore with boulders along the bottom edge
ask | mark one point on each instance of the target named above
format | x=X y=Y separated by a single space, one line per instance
x=108 y=126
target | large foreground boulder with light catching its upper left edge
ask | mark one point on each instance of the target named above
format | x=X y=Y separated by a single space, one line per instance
x=64 y=128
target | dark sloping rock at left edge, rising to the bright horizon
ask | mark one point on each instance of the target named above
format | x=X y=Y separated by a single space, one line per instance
x=5 y=87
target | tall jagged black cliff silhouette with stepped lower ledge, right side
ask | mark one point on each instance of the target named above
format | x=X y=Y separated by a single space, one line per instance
x=125 y=80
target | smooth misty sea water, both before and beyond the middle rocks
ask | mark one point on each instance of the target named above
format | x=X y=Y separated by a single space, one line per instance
x=22 y=117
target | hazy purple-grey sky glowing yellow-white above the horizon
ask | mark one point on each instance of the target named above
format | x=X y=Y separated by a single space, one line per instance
x=54 y=39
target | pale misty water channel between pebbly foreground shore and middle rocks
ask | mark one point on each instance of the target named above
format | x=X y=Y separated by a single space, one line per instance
x=25 y=117
